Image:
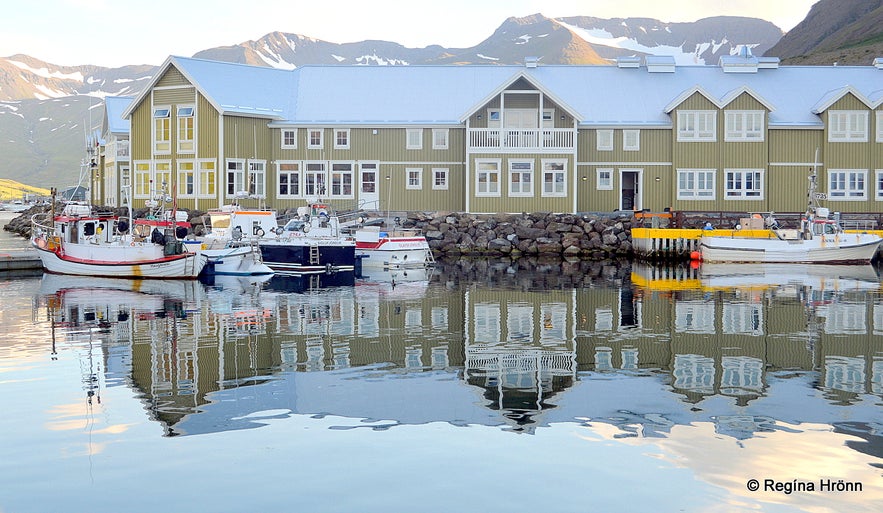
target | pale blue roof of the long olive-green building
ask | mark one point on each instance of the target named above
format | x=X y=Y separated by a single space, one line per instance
x=446 y=95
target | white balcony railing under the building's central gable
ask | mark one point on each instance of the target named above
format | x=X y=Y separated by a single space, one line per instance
x=521 y=139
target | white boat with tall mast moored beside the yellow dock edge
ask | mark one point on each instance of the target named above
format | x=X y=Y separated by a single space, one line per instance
x=820 y=239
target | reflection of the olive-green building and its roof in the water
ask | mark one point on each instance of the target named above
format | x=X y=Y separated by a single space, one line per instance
x=209 y=361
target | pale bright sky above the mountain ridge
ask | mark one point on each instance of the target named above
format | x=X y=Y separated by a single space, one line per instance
x=118 y=32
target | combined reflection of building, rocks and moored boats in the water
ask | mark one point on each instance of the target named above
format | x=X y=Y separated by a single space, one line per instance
x=513 y=344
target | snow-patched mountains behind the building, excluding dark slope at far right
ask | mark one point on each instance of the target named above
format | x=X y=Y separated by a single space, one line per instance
x=42 y=128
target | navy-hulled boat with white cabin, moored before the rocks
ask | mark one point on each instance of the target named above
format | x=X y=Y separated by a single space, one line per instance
x=311 y=242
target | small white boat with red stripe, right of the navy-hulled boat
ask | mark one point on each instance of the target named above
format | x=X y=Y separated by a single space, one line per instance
x=392 y=249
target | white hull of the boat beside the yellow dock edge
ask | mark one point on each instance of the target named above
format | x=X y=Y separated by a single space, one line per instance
x=839 y=249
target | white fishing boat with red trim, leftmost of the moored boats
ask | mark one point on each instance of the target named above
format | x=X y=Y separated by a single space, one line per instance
x=81 y=242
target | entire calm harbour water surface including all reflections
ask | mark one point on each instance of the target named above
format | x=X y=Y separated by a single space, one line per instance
x=480 y=386
